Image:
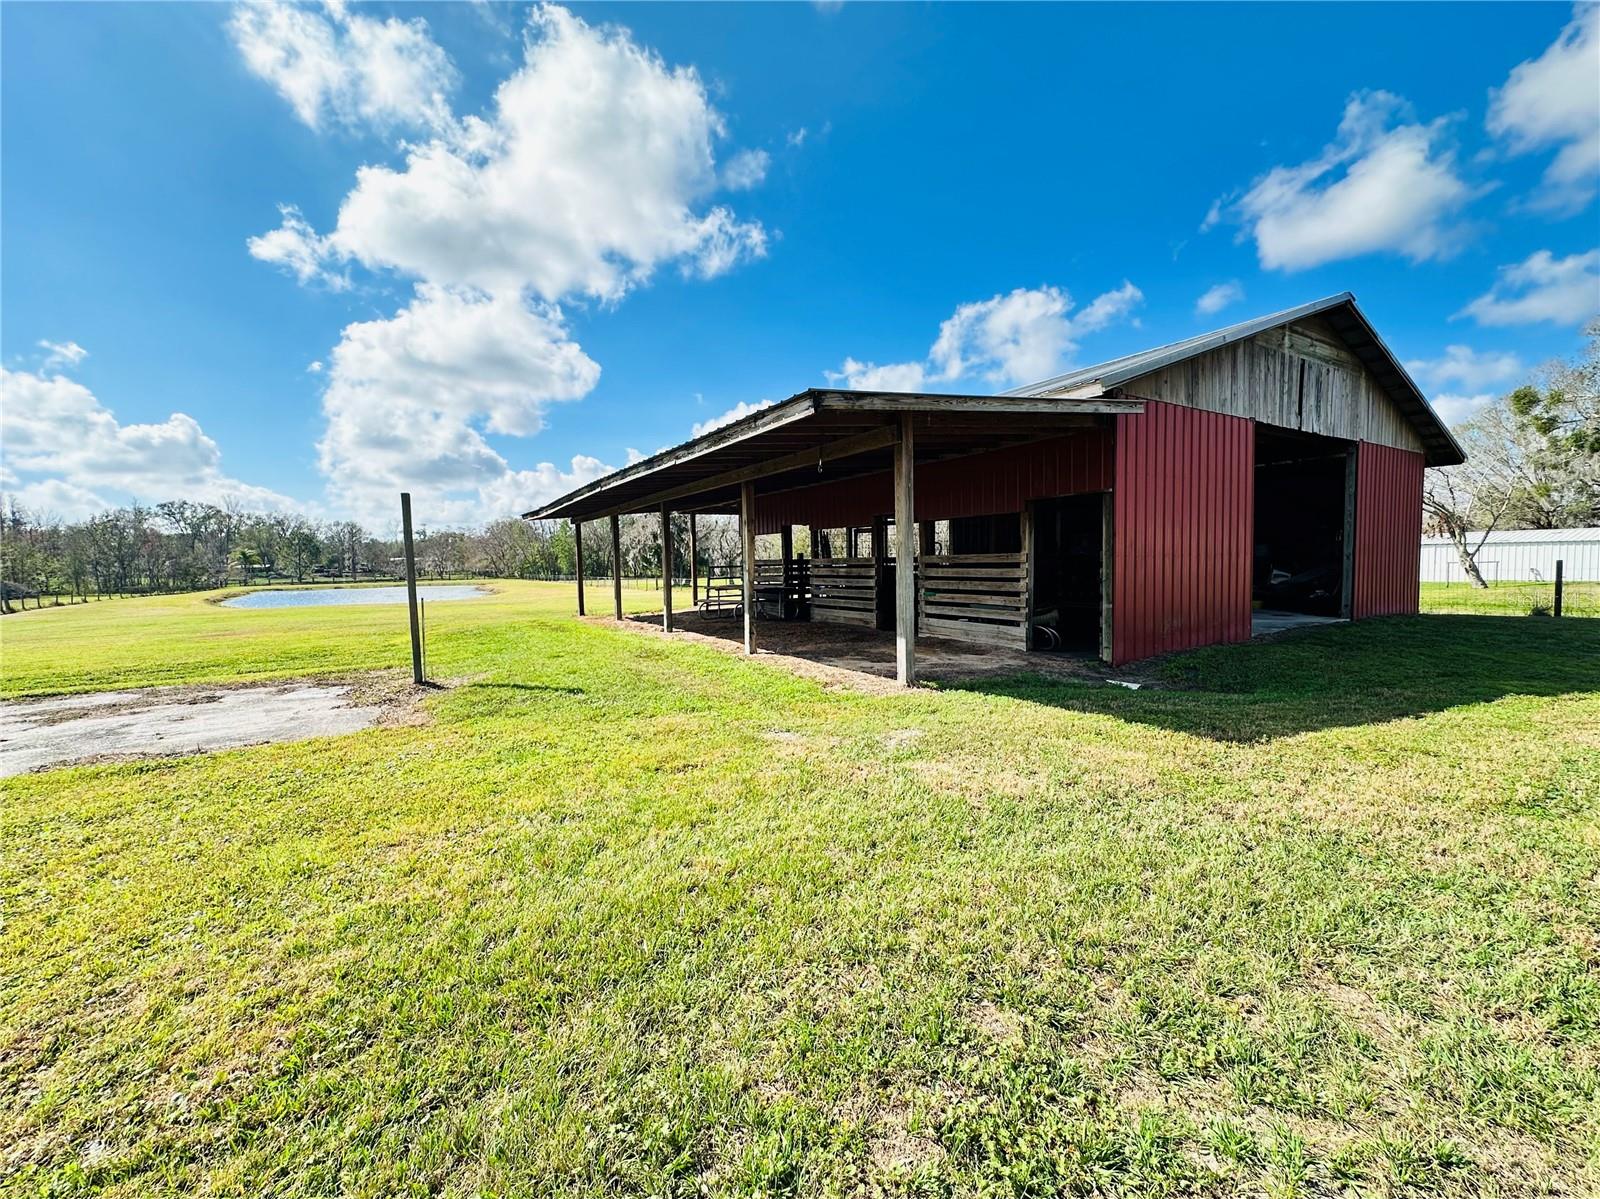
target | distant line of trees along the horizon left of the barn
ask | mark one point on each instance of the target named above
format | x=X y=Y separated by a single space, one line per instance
x=190 y=547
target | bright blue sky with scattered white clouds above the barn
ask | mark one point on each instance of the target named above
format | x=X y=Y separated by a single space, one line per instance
x=316 y=255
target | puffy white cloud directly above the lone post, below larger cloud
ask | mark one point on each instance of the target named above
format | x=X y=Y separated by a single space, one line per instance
x=412 y=399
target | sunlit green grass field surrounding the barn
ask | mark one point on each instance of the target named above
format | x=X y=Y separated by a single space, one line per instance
x=634 y=916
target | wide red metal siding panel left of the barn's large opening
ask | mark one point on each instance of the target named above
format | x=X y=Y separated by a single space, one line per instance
x=1185 y=516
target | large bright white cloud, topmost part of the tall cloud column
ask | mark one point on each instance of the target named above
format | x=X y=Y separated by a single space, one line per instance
x=583 y=180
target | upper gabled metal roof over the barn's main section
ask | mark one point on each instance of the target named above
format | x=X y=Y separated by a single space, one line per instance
x=1346 y=319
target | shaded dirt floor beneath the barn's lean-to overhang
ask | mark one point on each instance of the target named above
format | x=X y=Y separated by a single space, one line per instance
x=846 y=656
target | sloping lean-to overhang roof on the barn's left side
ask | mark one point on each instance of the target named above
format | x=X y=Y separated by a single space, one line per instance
x=820 y=436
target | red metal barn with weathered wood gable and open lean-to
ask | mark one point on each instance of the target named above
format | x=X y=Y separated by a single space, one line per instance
x=1252 y=478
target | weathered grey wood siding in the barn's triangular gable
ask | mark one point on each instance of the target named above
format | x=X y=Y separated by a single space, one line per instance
x=1298 y=377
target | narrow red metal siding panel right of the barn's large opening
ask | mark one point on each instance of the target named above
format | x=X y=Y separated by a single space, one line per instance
x=1388 y=531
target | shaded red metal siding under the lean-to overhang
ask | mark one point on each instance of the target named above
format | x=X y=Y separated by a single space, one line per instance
x=985 y=484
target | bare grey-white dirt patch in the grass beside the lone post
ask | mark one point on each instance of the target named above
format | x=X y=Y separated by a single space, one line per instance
x=167 y=721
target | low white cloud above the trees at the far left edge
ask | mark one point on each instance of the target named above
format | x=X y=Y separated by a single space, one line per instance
x=70 y=455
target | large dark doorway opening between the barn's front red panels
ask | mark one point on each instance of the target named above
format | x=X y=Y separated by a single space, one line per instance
x=1303 y=521
